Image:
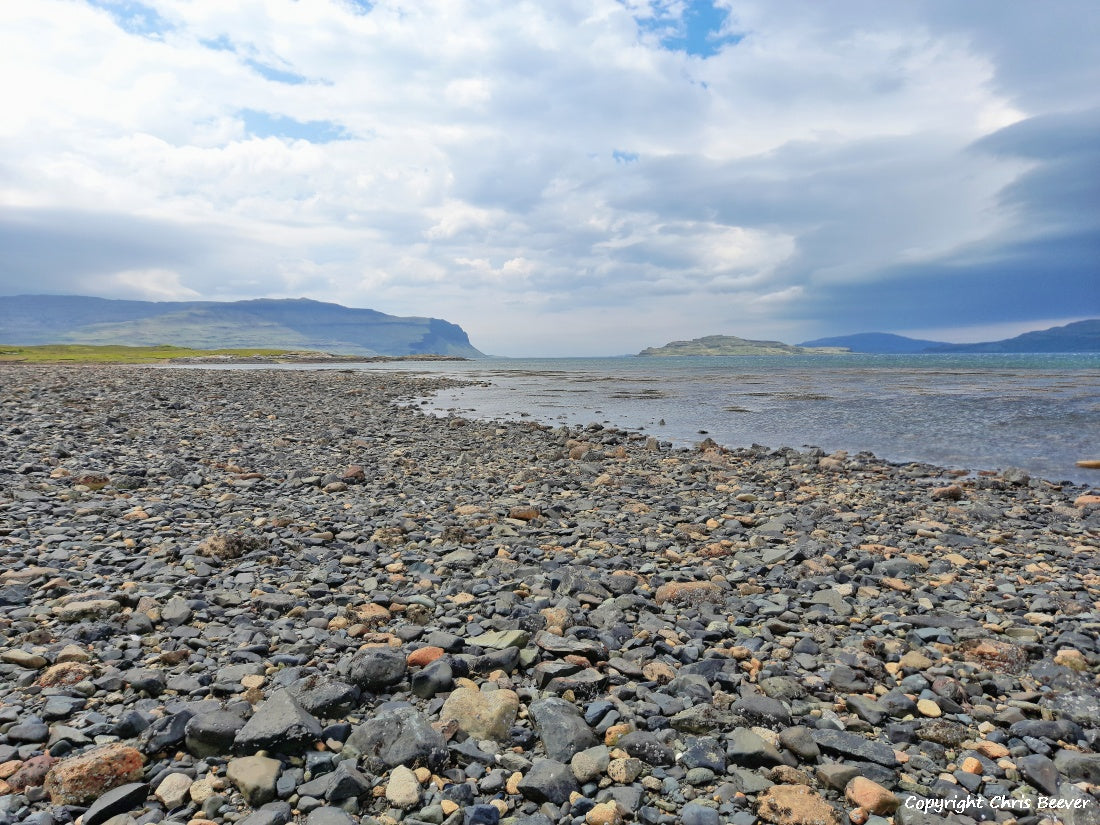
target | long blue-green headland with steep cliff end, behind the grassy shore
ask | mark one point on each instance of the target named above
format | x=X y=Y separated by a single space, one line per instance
x=291 y=324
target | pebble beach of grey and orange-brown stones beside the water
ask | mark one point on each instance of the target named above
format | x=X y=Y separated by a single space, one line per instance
x=277 y=597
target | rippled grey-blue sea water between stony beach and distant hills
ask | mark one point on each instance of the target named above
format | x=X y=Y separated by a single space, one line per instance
x=970 y=412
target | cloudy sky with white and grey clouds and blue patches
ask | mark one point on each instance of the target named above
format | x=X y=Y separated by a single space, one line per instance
x=577 y=178
